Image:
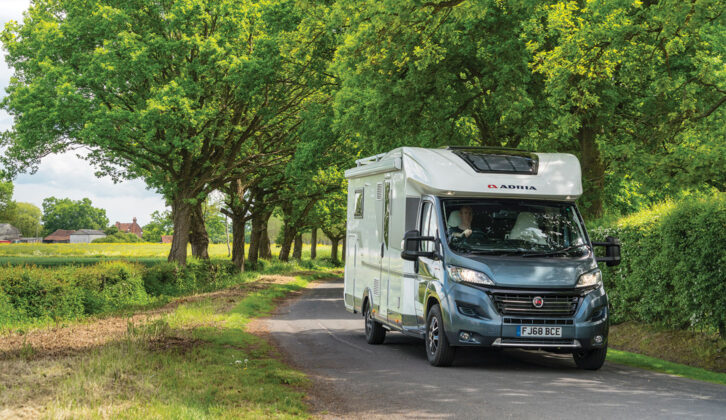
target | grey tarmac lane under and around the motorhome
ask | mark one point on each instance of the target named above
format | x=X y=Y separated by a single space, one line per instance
x=392 y=380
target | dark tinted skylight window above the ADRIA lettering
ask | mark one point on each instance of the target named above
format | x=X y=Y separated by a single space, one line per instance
x=498 y=161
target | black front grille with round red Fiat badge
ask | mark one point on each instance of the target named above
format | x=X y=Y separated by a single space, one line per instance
x=520 y=304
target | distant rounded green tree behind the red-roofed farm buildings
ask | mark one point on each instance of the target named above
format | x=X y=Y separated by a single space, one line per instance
x=64 y=213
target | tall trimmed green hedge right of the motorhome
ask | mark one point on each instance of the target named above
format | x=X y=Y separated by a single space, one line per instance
x=673 y=264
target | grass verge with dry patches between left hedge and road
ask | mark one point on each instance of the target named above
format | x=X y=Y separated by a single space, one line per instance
x=197 y=361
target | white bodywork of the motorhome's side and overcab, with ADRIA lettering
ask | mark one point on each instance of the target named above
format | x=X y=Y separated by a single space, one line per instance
x=374 y=269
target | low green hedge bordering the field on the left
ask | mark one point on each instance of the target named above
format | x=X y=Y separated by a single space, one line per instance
x=38 y=294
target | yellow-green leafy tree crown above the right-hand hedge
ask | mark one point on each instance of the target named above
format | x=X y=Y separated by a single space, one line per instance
x=640 y=86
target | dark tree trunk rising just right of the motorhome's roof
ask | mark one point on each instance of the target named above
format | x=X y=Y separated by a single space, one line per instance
x=593 y=171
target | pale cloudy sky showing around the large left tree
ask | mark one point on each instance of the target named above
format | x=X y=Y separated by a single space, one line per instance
x=65 y=175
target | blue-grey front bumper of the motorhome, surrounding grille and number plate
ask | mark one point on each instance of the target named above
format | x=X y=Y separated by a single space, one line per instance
x=473 y=312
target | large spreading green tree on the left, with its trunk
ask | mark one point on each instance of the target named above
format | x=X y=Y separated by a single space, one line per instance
x=189 y=95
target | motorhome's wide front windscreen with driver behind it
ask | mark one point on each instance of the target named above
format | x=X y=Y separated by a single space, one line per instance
x=514 y=227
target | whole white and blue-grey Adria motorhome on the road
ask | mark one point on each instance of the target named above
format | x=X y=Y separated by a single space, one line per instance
x=475 y=247
